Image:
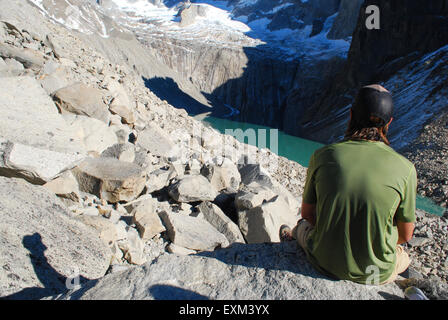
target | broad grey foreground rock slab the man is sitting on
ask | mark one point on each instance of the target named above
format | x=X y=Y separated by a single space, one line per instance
x=240 y=272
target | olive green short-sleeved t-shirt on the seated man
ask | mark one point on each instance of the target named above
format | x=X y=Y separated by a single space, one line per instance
x=359 y=188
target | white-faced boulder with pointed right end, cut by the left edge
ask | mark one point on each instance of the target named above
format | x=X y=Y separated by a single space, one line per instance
x=33 y=164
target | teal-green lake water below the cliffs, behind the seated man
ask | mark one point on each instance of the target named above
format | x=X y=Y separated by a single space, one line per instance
x=299 y=150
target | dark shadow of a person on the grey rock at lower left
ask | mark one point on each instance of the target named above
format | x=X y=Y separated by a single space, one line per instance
x=52 y=281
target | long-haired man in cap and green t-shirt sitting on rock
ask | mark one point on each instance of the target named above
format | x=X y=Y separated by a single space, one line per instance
x=359 y=199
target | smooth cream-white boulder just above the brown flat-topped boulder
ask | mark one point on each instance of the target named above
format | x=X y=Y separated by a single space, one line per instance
x=95 y=135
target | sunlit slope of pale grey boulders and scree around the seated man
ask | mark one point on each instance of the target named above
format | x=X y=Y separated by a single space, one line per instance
x=114 y=182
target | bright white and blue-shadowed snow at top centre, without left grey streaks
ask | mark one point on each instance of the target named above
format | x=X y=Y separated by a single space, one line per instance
x=219 y=18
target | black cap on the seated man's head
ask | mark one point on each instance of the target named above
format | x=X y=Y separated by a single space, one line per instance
x=373 y=101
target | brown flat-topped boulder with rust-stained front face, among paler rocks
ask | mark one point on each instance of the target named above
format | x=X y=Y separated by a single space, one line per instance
x=110 y=179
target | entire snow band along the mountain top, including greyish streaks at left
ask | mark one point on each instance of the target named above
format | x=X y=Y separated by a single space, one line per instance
x=217 y=25
